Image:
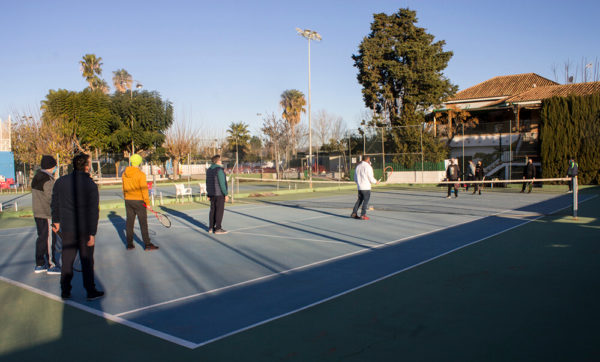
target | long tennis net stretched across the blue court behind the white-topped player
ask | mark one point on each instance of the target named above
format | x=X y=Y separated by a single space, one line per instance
x=532 y=197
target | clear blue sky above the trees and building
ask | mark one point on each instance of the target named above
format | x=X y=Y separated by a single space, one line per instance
x=224 y=61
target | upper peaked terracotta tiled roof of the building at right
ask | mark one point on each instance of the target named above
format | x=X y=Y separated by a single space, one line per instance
x=503 y=86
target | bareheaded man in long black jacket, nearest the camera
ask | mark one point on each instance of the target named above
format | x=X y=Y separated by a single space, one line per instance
x=75 y=213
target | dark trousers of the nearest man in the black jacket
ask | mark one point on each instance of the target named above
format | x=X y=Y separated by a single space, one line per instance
x=73 y=244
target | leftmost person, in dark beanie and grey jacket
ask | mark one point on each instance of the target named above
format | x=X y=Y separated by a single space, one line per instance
x=41 y=196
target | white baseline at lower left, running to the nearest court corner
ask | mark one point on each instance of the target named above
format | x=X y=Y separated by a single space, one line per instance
x=101 y=314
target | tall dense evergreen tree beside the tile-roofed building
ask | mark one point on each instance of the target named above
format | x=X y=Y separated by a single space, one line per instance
x=400 y=68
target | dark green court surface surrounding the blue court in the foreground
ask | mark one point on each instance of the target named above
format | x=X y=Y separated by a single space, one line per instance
x=528 y=294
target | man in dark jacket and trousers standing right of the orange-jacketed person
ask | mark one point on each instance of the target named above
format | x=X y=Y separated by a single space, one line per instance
x=216 y=190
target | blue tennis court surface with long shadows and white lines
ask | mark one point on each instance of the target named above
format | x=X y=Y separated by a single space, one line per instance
x=279 y=257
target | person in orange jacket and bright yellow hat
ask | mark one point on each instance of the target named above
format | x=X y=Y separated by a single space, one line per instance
x=135 y=191
